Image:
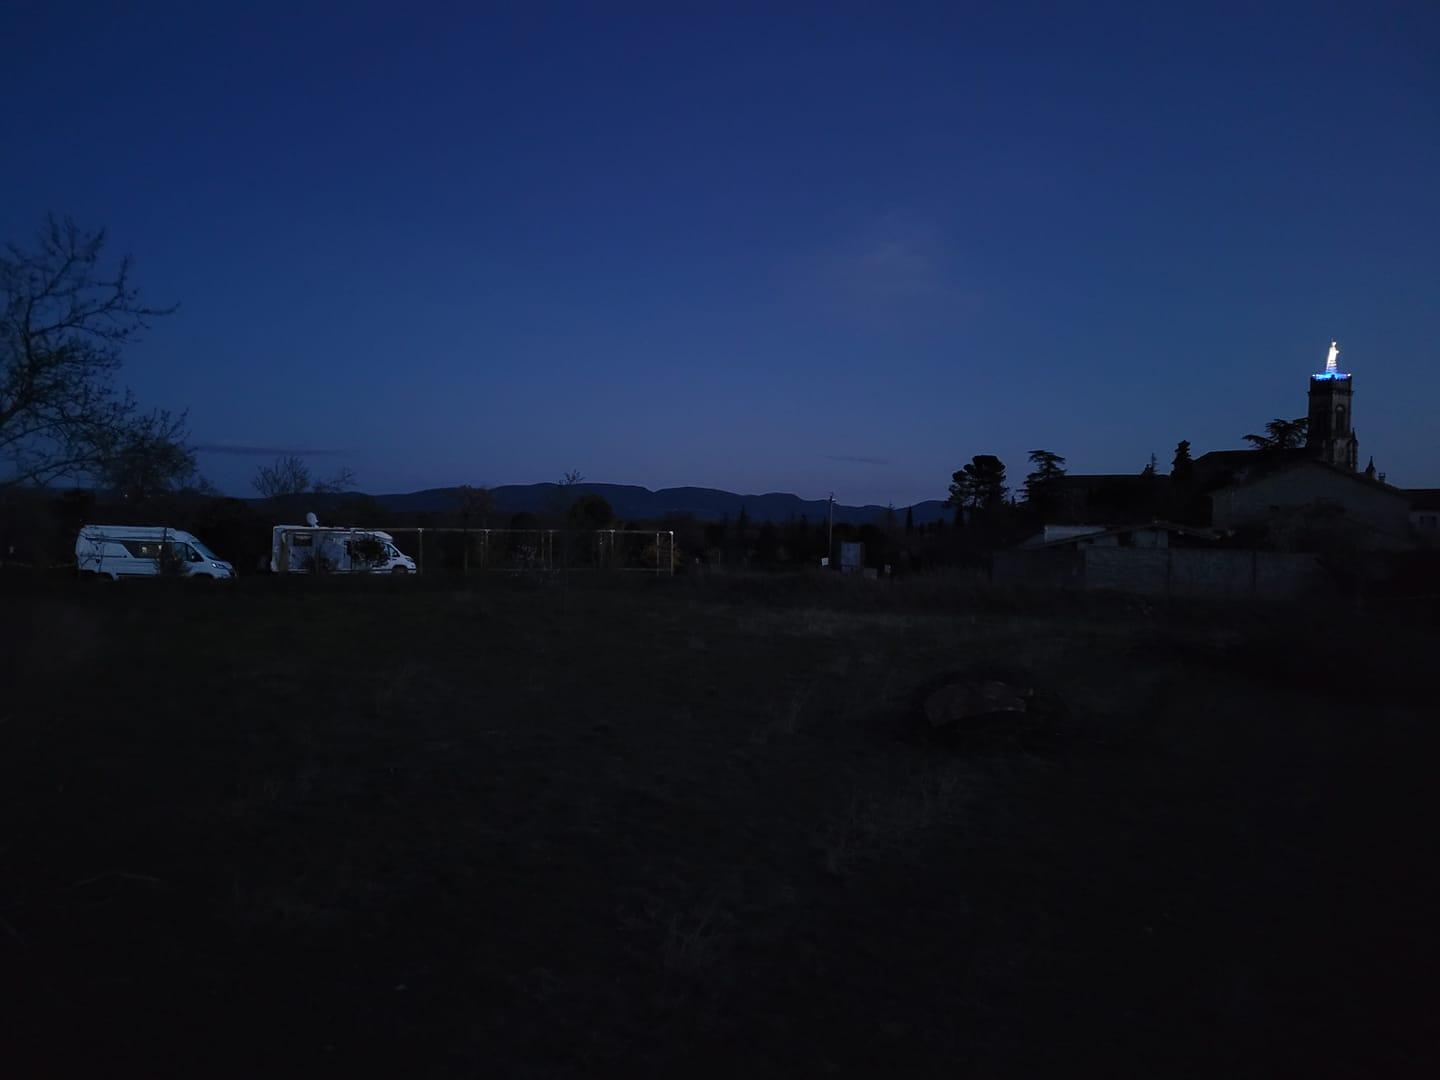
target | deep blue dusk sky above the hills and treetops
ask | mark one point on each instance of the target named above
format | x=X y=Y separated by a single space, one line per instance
x=771 y=250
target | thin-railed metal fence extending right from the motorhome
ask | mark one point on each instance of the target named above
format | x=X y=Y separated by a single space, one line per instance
x=518 y=551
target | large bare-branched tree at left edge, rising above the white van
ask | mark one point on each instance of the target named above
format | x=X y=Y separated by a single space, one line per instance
x=64 y=323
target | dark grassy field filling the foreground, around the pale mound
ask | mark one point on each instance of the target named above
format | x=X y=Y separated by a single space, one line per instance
x=688 y=827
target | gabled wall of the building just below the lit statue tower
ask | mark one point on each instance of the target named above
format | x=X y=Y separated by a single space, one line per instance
x=1308 y=485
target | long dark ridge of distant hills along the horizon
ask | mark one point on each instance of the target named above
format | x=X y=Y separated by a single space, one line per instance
x=637 y=503
